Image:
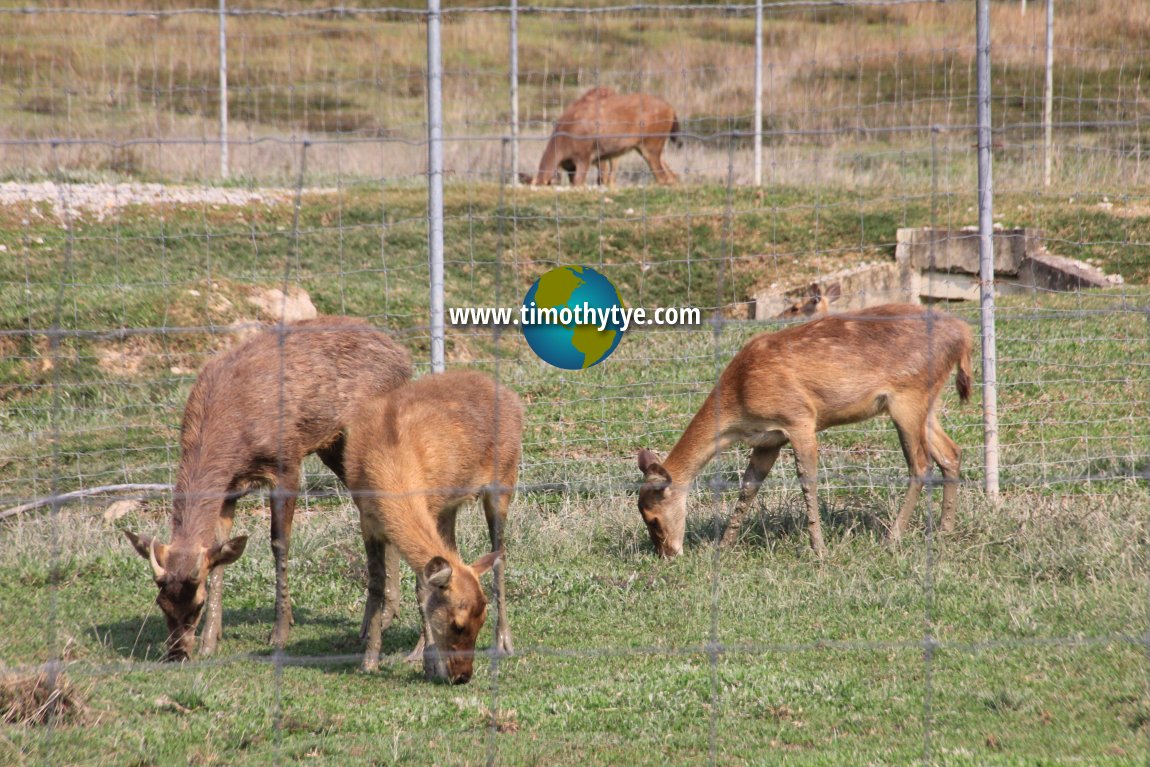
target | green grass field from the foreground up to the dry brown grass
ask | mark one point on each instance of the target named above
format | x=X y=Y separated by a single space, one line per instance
x=1036 y=609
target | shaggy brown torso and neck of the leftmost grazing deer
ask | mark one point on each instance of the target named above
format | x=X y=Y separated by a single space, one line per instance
x=275 y=398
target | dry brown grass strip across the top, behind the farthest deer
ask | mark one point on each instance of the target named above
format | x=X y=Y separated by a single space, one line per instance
x=852 y=72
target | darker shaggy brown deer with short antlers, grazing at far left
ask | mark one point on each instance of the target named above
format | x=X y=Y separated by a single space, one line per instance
x=252 y=416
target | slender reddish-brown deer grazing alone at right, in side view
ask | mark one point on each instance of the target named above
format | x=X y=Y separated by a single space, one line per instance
x=789 y=386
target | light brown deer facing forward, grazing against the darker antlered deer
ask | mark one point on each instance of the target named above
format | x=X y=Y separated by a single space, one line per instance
x=413 y=458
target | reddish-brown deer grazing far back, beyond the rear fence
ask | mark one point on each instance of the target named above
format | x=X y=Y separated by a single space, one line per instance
x=603 y=126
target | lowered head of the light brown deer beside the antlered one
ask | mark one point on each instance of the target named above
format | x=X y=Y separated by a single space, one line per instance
x=455 y=610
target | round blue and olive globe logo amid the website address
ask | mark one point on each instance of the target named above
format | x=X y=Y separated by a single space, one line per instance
x=570 y=318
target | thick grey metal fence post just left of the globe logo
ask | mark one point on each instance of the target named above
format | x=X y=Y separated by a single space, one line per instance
x=435 y=186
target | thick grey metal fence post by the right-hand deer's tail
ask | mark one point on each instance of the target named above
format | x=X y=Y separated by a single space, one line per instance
x=987 y=257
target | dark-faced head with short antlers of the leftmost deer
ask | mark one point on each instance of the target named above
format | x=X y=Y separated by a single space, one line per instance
x=182 y=577
